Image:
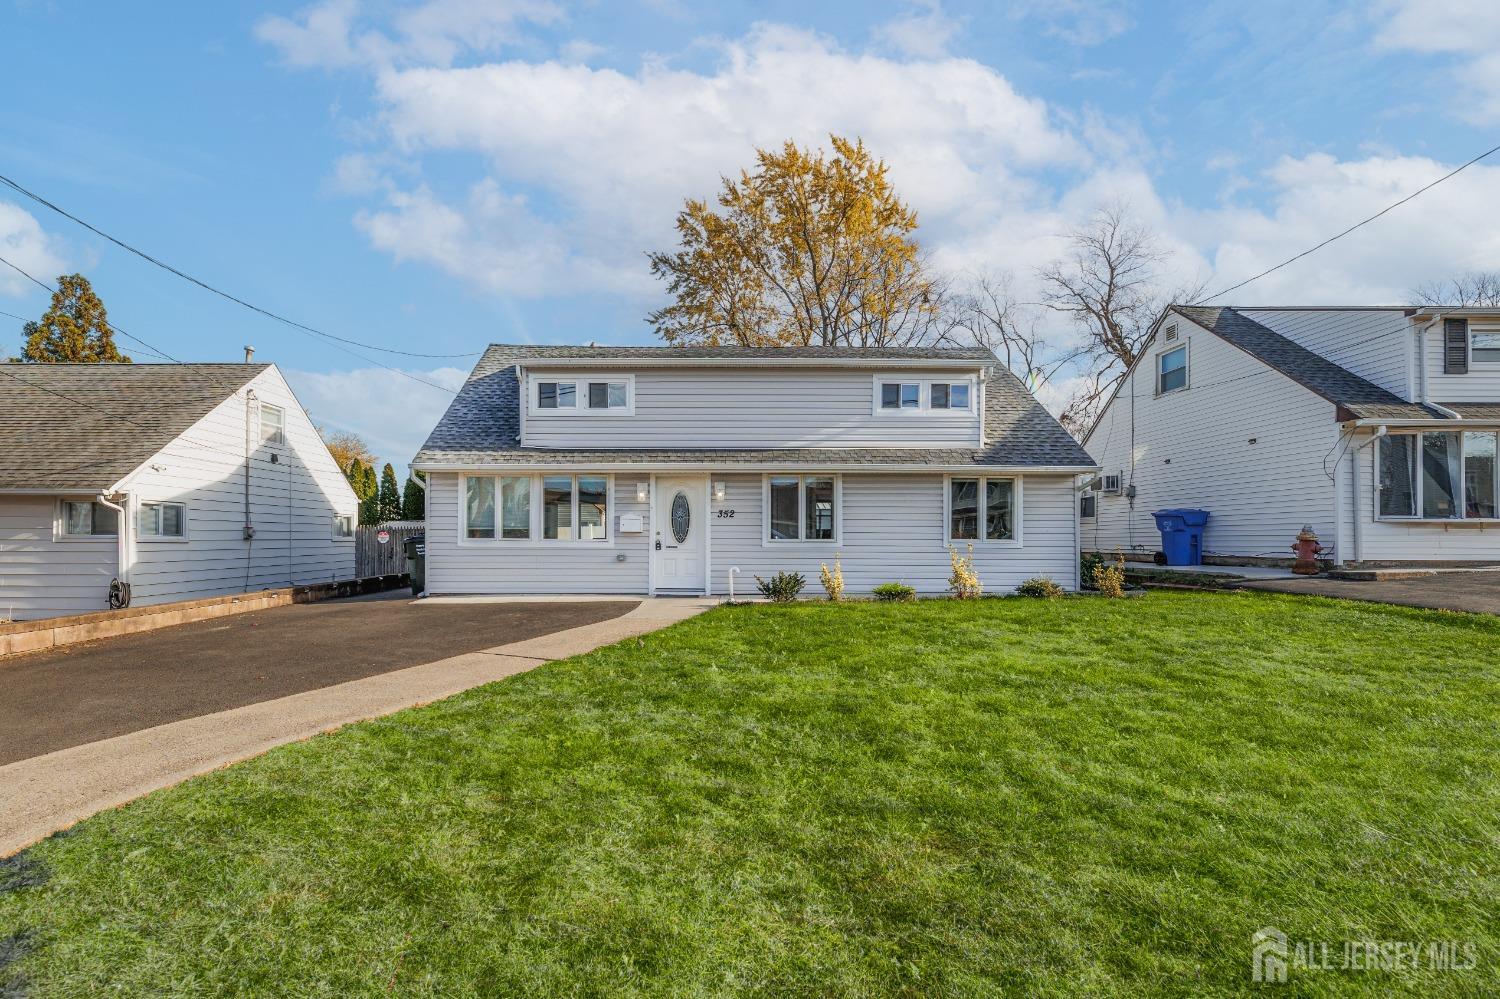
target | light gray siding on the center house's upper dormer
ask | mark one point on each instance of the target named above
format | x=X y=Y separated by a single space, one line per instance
x=754 y=409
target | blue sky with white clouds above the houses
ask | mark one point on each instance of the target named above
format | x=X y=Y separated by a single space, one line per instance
x=439 y=175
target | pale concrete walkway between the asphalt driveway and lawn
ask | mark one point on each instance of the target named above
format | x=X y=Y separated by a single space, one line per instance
x=50 y=793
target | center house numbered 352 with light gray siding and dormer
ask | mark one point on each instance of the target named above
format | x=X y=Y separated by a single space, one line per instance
x=659 y=470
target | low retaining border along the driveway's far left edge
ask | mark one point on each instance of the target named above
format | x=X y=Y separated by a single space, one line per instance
x=35 y=637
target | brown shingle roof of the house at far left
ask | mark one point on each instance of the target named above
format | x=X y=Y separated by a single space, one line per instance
x=86 y=427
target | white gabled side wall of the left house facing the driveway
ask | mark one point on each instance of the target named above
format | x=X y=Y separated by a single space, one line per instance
x=293 y=503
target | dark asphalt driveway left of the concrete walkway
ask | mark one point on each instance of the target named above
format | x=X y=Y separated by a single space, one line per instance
x=94 y=692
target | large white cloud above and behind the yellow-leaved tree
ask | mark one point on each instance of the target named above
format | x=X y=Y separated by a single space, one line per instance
x=614 y=155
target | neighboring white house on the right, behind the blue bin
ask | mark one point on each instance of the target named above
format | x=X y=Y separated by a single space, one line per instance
x=1373 y=425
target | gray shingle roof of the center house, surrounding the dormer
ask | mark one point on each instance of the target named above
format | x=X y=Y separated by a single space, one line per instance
x=484 y=424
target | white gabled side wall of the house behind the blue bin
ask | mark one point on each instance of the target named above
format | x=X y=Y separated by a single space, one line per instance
x=1193 y=449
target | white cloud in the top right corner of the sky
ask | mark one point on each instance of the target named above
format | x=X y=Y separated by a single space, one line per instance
x=1466 y=29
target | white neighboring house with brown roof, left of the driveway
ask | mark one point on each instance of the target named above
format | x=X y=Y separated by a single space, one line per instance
x=179 y=481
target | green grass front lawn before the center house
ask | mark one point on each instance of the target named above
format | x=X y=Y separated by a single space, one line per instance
x=1075 y=797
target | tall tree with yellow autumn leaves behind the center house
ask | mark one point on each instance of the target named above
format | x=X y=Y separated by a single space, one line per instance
x=805 y=250
